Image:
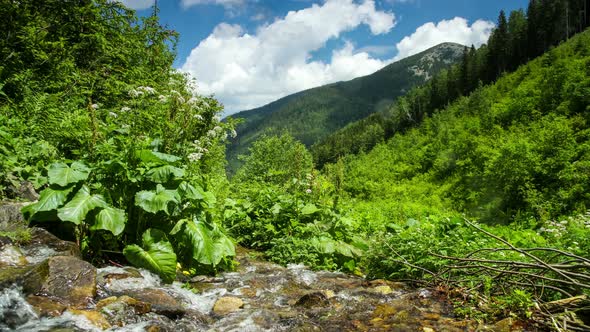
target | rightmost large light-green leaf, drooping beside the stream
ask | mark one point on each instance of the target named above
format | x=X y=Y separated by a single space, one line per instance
x=209 y=245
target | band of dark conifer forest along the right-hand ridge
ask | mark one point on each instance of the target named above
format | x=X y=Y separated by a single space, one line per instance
x=518 y=38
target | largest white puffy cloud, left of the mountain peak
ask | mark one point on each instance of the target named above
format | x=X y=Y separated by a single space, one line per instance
x=249 y=70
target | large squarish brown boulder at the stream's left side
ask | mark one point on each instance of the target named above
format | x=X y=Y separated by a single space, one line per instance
x=72 y=280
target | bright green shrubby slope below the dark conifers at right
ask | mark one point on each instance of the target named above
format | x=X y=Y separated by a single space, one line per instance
x=514 y=150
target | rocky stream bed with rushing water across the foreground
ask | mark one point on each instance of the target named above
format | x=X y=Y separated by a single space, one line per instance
x=45 y=286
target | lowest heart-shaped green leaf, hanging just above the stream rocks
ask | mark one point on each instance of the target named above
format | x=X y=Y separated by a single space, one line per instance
x=157 y=254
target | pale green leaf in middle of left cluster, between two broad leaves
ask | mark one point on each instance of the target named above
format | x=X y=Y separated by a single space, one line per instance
x=75 y=211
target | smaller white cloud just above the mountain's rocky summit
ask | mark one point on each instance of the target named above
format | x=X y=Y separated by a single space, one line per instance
x=456 y=30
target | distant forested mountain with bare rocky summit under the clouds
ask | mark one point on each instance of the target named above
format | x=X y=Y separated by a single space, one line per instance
x=313 y=114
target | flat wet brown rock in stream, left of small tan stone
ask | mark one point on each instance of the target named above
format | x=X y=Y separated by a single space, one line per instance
x=161 y=302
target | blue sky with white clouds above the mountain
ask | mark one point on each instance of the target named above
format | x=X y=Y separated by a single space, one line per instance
x=248 y=53
